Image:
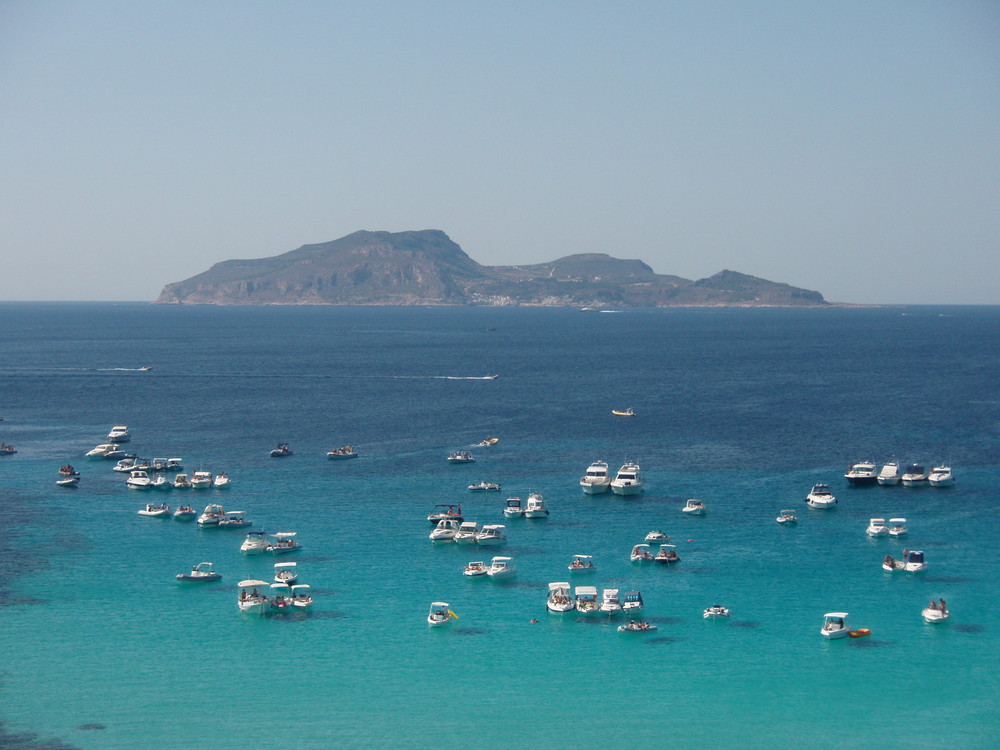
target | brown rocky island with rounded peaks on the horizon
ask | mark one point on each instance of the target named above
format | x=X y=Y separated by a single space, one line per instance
x=427 y=268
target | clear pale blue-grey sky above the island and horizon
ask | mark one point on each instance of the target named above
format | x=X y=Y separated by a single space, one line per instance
x=852 y=148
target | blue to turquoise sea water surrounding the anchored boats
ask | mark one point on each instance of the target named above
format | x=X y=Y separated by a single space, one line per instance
x=744 y=409
